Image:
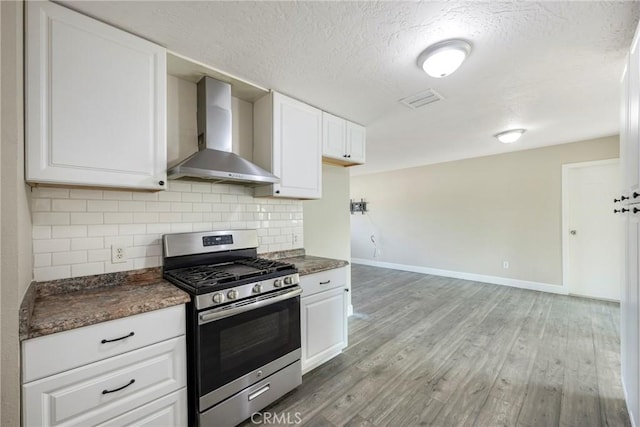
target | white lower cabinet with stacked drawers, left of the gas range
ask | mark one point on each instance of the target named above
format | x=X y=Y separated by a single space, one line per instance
x=143 y=386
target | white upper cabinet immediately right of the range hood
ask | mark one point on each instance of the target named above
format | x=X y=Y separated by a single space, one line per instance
x=288 y=142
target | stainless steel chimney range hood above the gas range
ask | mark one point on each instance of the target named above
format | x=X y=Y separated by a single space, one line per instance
x=215 y=160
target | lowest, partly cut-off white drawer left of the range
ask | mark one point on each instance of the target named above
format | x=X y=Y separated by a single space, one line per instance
x=168 y=411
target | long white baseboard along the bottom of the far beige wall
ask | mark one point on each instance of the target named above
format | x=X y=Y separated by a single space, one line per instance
x=504 y=281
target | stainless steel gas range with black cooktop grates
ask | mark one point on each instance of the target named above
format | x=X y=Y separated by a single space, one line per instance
x=243 y=324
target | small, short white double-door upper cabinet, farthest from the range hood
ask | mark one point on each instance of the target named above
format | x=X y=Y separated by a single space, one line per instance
x=343 y=142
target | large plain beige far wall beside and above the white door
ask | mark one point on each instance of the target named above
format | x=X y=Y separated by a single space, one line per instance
x=471 y=215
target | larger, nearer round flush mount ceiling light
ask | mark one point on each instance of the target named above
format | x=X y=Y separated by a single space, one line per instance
x=445 y=57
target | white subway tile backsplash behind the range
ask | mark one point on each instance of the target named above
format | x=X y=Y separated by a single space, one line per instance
x=74 y=229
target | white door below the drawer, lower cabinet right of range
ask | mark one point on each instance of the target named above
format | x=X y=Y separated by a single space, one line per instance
x=323 y=326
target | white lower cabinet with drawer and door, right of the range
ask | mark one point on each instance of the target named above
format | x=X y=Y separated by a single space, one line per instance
x=323 y=317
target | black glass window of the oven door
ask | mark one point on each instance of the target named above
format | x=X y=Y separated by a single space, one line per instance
x=235 y=346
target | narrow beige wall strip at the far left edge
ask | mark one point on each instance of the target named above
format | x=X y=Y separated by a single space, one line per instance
x=15 y=262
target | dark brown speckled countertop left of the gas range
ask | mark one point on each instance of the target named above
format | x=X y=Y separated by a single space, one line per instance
x=60 y=305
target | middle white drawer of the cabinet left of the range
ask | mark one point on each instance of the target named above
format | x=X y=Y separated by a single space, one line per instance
x=100 y=391
